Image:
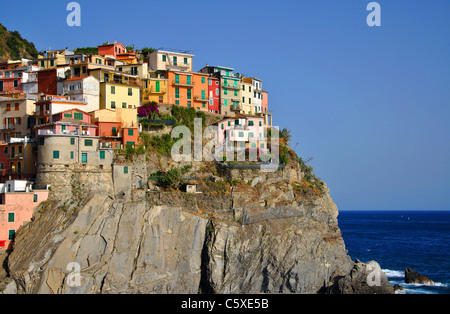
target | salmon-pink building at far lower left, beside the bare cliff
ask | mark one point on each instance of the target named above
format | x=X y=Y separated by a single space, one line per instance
x=17 y=203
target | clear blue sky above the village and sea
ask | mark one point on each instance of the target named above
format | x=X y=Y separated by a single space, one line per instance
x=371 y=105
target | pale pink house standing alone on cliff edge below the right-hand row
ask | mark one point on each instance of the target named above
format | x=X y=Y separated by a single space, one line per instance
x=242 y=131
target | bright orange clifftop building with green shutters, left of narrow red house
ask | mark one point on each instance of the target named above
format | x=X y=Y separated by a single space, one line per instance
x=188 y=89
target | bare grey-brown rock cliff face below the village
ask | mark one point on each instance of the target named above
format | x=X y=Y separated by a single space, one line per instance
x=262 y=236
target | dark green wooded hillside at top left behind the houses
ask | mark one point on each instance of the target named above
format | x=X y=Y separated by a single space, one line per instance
x=14 y=47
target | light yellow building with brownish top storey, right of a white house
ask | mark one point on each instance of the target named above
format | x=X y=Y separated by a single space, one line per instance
x=117 y=89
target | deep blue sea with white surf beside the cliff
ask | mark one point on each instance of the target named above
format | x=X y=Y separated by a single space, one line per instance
x=402 y=239
